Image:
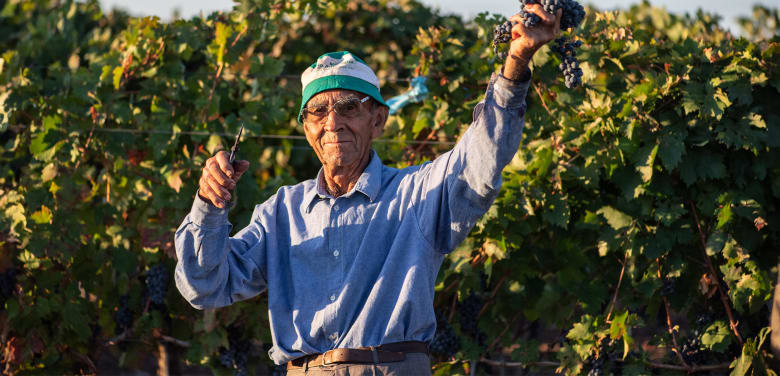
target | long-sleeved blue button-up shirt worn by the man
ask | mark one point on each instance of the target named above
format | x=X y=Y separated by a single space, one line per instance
x=357 y=270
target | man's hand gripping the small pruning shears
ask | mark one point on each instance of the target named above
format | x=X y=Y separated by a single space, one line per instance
x=219 y=178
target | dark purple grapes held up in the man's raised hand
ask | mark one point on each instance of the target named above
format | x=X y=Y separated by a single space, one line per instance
x=572 y=15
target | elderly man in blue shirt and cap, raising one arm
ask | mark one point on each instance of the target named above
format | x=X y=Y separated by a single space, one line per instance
x=350 y=258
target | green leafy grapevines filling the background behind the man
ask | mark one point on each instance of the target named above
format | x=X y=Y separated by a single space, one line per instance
x=639 y=216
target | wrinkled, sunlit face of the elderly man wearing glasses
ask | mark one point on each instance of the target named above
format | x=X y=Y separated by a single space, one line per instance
x=340 y=140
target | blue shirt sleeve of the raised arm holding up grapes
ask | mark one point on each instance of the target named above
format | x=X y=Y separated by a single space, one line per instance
x=458 y=187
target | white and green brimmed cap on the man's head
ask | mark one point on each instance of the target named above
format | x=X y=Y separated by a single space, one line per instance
x=339 y=70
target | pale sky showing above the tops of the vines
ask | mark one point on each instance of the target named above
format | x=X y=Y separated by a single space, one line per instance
x=728 y=9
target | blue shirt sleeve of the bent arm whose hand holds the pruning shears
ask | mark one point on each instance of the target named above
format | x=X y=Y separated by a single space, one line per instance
x=214 y=269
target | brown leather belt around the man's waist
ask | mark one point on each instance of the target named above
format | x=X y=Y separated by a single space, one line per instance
x=387 y=353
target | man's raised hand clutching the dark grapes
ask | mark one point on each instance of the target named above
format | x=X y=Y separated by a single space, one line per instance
x=526 y=41
